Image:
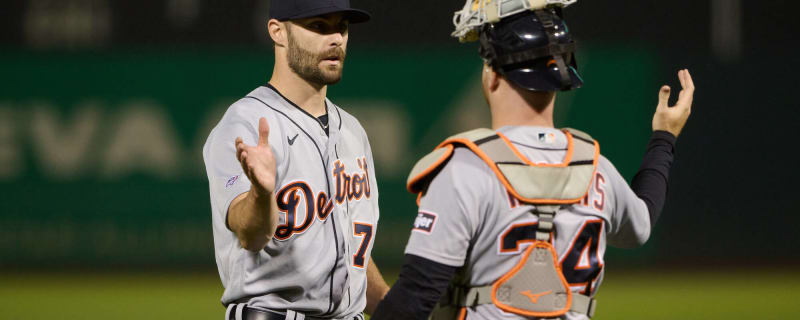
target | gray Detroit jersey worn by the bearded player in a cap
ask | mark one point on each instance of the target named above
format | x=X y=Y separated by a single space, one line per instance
x=328 y=200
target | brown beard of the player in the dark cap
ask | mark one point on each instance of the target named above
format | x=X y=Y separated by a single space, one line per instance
x=306 y=64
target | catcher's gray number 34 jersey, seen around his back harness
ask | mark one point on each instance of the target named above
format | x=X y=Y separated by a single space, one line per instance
x=468 y=218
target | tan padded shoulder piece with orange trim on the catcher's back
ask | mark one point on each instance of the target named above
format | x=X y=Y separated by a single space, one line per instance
x=562 y=183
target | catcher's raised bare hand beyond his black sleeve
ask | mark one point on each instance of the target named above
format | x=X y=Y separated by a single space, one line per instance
x=672 y=119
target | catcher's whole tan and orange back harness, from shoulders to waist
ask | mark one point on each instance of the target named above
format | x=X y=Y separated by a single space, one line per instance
x=535 y=287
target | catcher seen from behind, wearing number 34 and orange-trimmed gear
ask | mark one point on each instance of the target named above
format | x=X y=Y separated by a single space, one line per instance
x=513 y=221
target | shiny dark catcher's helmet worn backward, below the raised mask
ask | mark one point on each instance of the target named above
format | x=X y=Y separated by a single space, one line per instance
x=533 y=49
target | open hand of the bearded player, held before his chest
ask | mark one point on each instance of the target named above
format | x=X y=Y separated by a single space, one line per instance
x=257 y=161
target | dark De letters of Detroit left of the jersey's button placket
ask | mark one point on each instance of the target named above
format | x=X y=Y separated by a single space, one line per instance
x=296 y=201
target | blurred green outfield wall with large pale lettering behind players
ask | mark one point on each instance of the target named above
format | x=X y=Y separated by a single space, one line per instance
x=100 y=152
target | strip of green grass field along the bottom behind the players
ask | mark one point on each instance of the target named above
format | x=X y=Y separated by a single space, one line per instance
x=743 y=294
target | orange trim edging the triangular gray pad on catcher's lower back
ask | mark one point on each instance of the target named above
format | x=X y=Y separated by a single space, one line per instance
x=517 y=268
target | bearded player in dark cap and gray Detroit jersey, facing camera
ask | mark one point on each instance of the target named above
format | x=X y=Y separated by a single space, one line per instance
x=292 y=182
